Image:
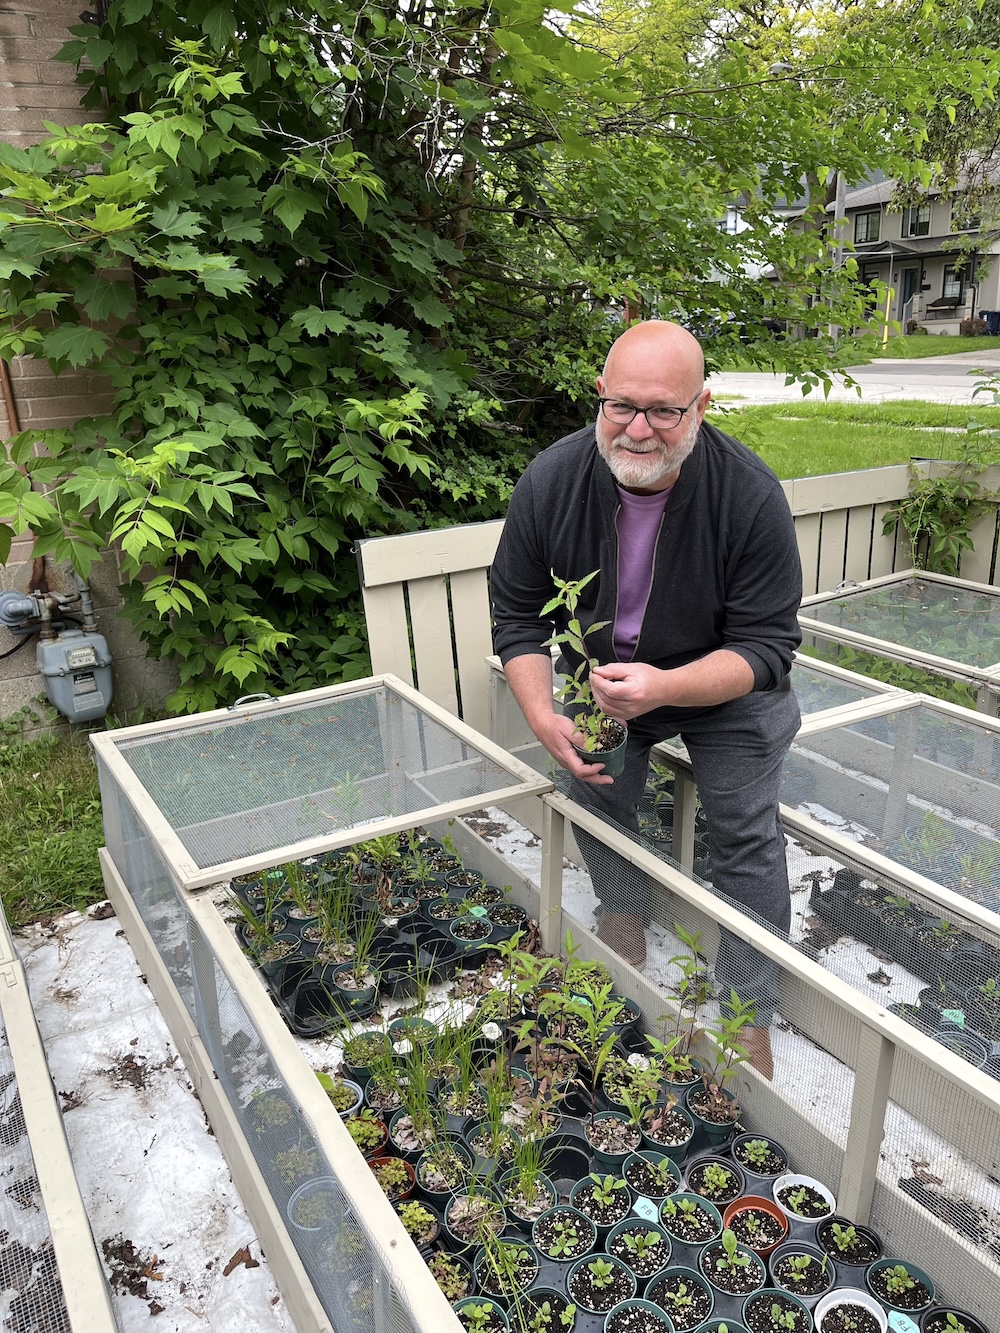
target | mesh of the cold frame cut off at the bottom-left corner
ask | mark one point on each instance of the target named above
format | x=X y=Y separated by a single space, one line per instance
x=31 y=1291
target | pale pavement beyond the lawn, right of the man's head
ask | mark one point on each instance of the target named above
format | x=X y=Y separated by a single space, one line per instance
x=937 y=379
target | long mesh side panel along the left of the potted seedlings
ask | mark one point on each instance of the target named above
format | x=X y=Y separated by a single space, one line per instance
x=346 y=1266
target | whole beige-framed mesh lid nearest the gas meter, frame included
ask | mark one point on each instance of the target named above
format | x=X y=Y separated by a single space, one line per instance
x=239 y=790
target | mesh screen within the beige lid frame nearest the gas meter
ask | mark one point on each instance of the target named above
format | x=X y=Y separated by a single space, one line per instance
x=246 y=786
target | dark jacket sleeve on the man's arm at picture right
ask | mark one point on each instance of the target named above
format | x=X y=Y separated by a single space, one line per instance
x=763 y=594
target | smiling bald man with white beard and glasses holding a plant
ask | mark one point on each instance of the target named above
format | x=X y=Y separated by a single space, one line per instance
x=699 y=585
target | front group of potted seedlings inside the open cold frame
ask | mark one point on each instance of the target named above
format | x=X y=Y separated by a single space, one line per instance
x=549 y=1146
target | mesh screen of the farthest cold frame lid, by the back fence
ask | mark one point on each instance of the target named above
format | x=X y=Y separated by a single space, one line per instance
x=959 y=625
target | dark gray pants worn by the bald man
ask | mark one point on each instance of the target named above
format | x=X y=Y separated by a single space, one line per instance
x=737 y=754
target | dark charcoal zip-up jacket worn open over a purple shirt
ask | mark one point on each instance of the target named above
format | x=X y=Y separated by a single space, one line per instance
x=726 y=571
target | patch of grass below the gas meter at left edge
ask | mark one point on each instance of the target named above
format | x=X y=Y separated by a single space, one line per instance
x=51 y=822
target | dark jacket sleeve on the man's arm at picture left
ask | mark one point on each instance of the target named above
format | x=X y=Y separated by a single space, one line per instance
x=521 y=581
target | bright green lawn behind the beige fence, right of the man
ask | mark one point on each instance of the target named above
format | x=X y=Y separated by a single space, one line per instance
x=814 y=439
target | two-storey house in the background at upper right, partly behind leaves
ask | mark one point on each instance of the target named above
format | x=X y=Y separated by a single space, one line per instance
x=911 y=251
